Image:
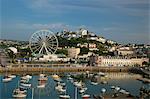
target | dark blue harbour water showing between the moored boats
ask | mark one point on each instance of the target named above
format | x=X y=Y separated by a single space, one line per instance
x=49 y=92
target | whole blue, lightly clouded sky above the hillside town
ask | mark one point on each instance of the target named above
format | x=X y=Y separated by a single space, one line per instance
x=124 y=21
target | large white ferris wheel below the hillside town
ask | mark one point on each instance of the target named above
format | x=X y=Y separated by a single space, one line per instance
x=43 y=42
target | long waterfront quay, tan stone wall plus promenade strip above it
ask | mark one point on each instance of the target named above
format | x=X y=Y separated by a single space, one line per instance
x=59 y=68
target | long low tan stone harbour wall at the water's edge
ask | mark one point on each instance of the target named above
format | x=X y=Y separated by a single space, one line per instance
x=64 y=69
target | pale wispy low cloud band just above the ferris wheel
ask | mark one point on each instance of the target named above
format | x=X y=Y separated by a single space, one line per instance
x=37 y=26
